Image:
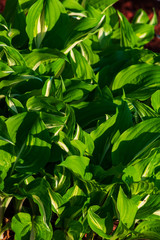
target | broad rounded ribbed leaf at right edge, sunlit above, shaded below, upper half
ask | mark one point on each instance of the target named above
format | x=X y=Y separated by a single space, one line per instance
x=138 y=81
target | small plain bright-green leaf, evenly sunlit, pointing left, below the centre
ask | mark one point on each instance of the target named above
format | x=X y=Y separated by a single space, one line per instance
x=77 y=164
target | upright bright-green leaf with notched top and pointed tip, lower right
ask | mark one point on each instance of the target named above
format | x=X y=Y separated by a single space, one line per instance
x=127 y=208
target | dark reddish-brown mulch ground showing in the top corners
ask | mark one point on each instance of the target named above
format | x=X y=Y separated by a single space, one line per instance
x=129 y=8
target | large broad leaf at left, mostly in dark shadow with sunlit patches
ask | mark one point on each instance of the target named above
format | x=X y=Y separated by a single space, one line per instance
x=32 y=150
